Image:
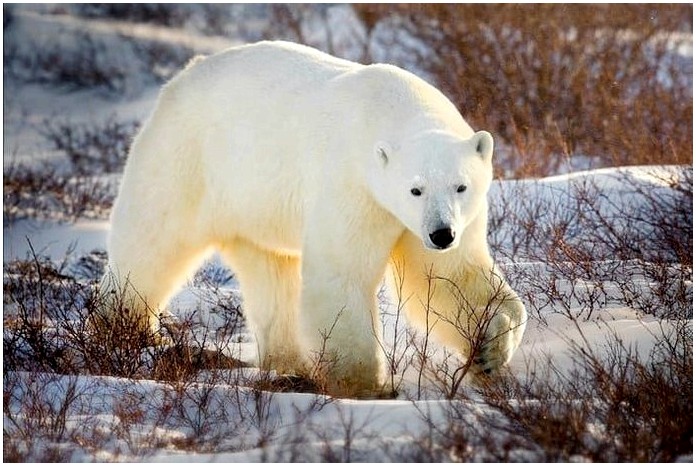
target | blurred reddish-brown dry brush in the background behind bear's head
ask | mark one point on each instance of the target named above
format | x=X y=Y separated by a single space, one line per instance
x=552 y=81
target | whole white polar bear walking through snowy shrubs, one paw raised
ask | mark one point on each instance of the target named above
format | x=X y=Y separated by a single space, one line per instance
x=311 y=176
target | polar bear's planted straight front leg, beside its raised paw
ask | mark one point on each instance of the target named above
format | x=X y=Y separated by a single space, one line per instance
x=343 y=262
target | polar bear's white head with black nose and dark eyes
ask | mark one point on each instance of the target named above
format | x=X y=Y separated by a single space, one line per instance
x=435 y=183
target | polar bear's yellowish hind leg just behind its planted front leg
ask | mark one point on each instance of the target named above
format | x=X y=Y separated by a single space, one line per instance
x=270 y=285
